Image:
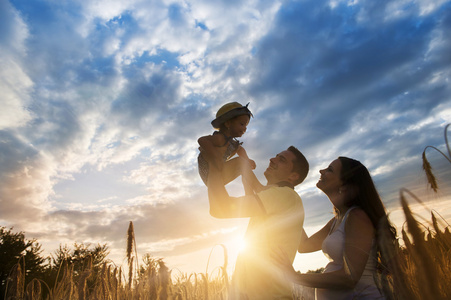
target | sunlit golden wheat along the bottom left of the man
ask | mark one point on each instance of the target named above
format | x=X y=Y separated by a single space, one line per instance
x=148 y=281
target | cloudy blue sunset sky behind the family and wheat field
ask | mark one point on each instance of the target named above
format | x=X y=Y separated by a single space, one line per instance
x=102 y=103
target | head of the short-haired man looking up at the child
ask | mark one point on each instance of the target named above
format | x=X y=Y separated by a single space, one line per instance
x=289 y=165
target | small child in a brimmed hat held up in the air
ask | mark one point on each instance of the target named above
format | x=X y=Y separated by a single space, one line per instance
x=219 y=148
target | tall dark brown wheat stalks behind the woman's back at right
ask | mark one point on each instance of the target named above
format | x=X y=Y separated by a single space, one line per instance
x=421 y=269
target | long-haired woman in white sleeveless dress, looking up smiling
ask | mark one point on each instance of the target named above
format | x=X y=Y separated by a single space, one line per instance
x=349 y=239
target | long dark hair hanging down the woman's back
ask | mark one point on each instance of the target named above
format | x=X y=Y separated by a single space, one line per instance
x=355 y=174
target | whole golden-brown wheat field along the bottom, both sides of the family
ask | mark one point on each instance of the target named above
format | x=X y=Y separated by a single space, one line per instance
x=420 y=269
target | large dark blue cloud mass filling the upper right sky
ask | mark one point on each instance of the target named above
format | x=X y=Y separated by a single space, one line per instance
x=325 y=65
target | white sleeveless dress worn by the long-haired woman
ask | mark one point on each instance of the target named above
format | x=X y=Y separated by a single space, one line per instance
x=333 y=247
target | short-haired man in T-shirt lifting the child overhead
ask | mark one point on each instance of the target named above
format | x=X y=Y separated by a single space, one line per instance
x=276 y=219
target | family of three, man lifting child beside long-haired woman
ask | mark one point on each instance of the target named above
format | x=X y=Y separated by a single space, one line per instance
x=275 y=231
